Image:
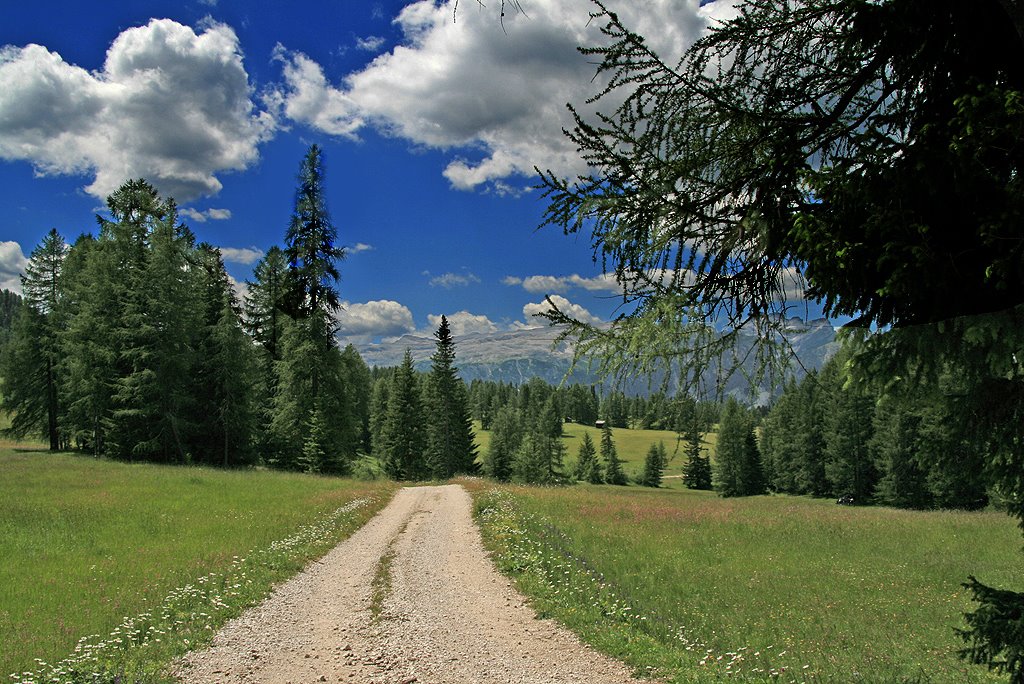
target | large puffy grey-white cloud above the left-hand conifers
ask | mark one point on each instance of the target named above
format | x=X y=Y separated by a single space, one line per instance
x=169 y=105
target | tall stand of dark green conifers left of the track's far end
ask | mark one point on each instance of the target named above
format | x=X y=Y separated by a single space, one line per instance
x=134 y=346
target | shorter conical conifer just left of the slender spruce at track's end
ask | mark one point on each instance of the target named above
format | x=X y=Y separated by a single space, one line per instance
x=403 y=439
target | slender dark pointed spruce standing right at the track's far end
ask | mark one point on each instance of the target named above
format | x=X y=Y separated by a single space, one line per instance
x=450 y=441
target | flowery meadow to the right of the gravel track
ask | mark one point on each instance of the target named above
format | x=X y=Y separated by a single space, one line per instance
x=688 y=587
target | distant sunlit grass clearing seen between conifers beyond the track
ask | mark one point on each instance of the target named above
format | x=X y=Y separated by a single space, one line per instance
x=631 y=446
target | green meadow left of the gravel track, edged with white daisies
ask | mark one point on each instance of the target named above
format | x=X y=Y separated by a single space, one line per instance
x=147 y=562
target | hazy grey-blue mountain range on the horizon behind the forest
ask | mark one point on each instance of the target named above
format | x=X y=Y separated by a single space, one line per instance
x=516 y=357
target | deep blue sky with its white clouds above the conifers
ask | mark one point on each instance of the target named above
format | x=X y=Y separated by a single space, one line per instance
x=432 y=123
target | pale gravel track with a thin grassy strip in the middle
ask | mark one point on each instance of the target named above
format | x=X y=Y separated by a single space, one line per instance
x=445 y=615
